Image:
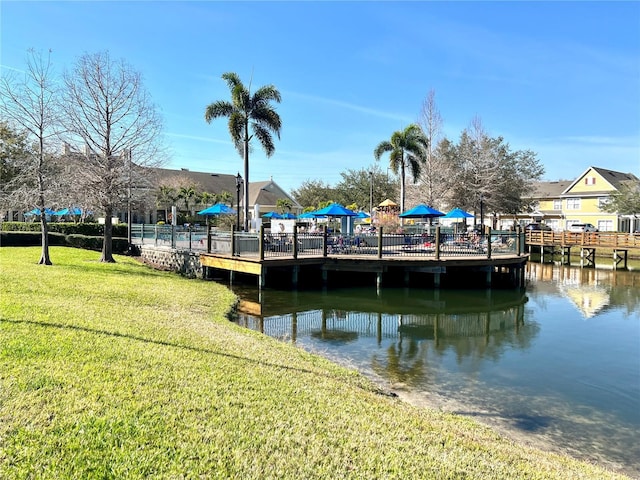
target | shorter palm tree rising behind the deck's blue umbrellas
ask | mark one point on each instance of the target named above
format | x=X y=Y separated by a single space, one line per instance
x=406 y=152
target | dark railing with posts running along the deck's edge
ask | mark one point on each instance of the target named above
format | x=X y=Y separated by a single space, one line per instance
x=266 y=244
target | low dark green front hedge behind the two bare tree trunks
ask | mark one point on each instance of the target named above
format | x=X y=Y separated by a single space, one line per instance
x=88 y=242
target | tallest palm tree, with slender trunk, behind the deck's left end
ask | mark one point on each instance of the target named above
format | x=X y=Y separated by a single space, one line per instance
x=248 y=112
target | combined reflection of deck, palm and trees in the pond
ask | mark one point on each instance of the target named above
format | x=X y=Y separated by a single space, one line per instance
x=404 y=331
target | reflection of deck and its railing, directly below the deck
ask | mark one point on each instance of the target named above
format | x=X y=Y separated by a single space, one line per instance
x=341 y=319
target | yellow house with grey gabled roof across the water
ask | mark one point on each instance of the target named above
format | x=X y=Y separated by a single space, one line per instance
x=582 y=201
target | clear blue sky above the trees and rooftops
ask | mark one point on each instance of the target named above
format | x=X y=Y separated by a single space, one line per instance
x=559 y=78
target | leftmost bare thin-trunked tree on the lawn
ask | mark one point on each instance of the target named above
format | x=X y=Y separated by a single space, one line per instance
x=30 y=105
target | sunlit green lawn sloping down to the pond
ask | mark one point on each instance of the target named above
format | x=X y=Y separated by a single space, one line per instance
x=120 y=371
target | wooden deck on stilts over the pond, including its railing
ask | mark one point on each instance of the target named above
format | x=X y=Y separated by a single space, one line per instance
x=494 y=259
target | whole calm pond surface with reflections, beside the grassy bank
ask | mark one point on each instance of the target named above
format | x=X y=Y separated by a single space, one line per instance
x=556 y=365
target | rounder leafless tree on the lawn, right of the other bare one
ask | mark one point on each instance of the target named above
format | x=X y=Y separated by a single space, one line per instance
x=110 y=114
